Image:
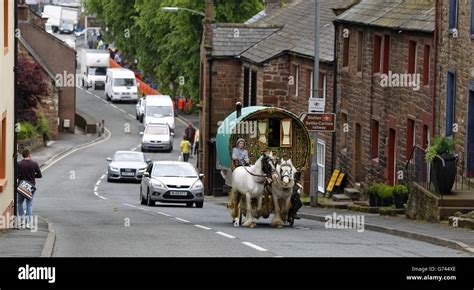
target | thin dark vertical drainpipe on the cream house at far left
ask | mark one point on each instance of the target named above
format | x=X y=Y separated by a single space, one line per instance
x=15 y=112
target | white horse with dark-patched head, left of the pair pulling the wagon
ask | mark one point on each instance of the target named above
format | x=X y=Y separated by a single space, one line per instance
x=250 y=181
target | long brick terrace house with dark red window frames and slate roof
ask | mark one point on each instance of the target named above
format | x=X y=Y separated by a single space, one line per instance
x=383 y=50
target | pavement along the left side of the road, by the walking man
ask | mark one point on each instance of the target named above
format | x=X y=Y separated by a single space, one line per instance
x=39 y=241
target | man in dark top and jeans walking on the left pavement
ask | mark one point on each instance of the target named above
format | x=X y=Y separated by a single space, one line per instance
x=28 y=170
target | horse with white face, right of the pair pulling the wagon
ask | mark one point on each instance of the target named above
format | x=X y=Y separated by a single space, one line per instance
x=282 y=189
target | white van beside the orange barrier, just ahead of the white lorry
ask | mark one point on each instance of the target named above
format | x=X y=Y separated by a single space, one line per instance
x=121 y=85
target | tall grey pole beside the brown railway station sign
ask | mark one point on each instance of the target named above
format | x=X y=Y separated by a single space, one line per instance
x=314 y=163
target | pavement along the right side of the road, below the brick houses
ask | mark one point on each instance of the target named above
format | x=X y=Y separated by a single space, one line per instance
x=434 y=233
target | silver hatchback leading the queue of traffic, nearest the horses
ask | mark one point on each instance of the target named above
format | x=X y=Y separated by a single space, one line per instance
x=172 y=182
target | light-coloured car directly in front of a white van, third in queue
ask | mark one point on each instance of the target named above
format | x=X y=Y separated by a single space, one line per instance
x=157 y=137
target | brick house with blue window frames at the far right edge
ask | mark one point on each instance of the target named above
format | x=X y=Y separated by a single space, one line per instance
x=455 y=93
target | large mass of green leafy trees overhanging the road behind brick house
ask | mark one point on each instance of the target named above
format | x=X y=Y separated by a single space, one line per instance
x=166 y=45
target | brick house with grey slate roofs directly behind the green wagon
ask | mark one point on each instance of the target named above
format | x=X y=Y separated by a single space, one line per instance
x=267 y=61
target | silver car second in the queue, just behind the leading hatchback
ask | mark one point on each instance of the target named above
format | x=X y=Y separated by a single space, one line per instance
x=127 y=165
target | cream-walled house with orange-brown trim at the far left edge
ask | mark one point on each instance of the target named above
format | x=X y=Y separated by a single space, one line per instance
x=7 y=56
